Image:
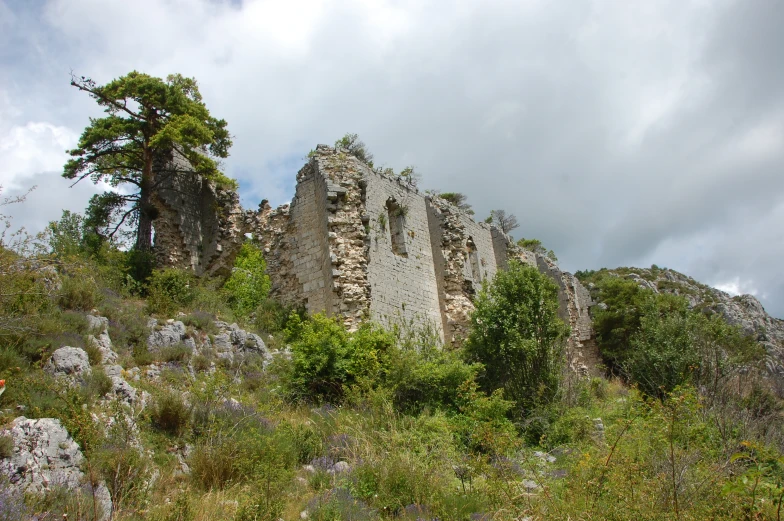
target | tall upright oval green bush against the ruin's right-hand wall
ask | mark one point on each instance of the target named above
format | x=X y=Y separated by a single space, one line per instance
x=517 y=335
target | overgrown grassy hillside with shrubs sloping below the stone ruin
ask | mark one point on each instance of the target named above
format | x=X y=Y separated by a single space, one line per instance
x=329 y=425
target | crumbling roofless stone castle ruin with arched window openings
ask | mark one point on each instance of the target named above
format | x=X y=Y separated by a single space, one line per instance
x=356 y=244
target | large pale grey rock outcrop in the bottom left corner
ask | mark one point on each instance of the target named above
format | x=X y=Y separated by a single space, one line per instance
x=45 y=456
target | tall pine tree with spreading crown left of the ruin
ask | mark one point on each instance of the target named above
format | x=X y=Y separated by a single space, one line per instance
x=132 y=146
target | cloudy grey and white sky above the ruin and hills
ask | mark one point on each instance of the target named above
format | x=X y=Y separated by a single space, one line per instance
x=619 y=132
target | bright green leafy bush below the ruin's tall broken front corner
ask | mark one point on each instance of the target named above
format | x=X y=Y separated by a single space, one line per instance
x=326 y=359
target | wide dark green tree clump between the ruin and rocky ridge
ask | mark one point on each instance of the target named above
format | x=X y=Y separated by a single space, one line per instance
x=655 y=341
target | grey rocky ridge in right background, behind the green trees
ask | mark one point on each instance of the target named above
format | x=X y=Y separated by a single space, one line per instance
x=744 y=311
